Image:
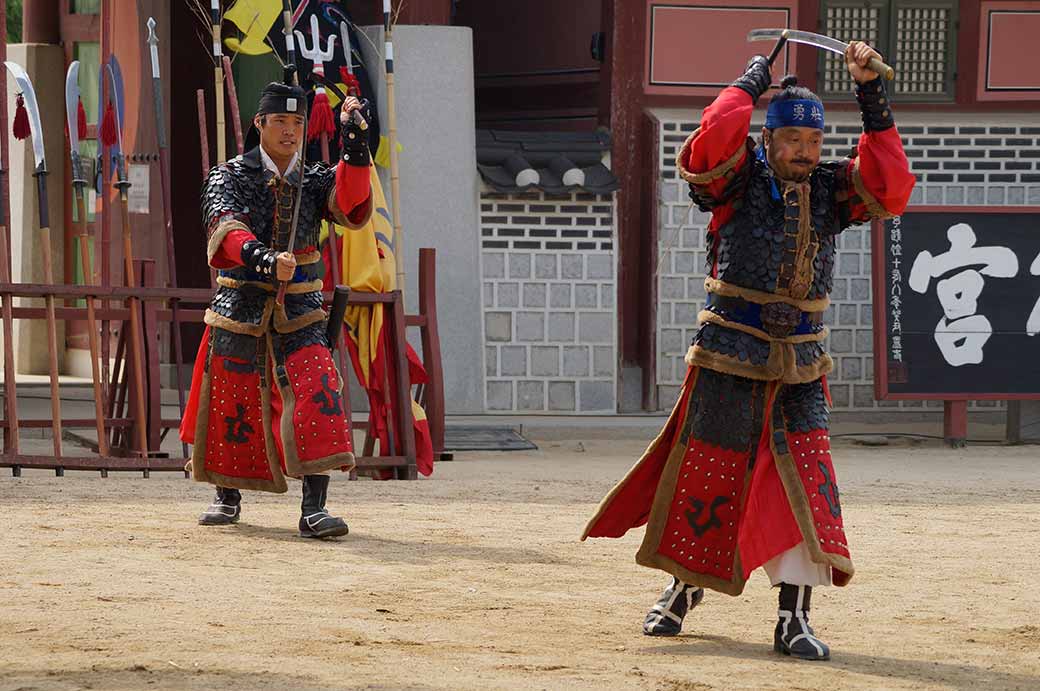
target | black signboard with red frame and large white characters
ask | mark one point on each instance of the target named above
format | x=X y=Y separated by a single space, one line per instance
x=957 y=304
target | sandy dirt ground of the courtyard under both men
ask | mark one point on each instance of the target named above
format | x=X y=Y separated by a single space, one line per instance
x=477 y=580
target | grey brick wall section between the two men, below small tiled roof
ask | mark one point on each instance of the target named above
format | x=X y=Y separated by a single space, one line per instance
x=550 y=318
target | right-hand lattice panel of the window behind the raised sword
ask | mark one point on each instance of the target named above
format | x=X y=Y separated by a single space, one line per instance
x=922 y=50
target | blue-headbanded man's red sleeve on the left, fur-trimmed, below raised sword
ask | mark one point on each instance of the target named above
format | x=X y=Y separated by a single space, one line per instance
x=717 y=148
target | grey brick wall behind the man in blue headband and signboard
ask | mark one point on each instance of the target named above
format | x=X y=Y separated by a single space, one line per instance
x=959 y=159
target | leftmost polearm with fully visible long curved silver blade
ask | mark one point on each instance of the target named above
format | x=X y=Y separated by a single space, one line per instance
x=32 y=107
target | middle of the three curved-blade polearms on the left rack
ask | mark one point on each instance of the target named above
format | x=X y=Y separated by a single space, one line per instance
x=80 y=196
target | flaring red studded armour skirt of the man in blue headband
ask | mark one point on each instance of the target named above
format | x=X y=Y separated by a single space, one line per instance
x=741 y=474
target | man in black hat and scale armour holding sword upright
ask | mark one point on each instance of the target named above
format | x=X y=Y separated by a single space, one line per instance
x=267 y=396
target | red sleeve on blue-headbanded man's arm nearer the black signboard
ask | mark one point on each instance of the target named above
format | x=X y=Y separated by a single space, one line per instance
x=881 y=173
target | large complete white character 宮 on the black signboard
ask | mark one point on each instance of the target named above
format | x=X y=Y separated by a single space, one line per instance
x=961 y=334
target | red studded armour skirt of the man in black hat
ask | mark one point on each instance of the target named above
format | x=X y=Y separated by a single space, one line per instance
x=258 y=415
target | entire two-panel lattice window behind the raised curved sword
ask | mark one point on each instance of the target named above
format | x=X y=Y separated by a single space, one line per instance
x=918 y=38
